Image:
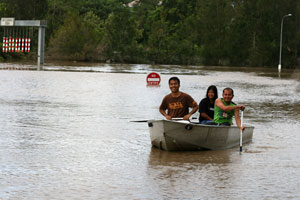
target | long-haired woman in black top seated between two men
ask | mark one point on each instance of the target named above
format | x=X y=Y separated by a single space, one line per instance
x=206 y=106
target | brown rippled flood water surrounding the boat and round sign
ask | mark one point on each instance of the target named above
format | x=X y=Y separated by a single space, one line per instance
x=66 y=134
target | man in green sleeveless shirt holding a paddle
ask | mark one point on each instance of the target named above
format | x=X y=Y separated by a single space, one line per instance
x=225 y=109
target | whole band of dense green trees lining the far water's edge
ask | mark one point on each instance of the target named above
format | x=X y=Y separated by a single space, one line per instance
x=208 y=32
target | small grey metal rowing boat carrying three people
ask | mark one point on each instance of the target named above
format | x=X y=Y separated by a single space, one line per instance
x=171 y=135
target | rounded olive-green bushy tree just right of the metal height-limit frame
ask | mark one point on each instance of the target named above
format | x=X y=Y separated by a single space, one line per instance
x=77 y=39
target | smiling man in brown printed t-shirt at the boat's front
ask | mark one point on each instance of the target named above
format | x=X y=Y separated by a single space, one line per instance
x=177 y=103
